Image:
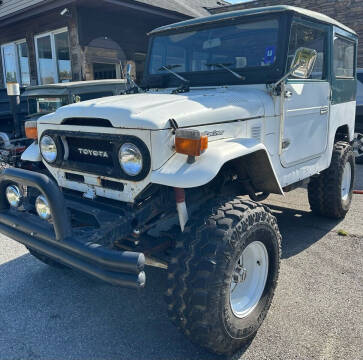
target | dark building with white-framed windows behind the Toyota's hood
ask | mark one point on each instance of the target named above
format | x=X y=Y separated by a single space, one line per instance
x=48 y=41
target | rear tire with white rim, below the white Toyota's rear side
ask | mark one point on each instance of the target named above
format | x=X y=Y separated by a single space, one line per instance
x=330 y=193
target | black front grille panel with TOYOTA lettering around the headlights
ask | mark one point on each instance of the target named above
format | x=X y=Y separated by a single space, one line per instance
x=96 y=154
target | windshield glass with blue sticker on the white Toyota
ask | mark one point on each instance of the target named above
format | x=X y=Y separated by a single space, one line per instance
x=238 y=47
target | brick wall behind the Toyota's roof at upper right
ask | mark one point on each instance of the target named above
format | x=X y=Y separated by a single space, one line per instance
x=348 y=12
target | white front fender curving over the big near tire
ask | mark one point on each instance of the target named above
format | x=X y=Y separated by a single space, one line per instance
x=176 y=172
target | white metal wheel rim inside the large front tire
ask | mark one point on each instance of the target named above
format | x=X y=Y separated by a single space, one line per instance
x=249 y=279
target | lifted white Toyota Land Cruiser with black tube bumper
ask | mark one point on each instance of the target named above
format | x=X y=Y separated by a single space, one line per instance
x=243 y=103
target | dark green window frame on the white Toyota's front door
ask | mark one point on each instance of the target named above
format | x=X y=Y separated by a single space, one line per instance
x=324 y=28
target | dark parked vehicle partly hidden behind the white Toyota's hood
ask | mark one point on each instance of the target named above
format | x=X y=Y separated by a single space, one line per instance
x=44 y=99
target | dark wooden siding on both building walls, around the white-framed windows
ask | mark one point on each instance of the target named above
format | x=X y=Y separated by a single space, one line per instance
x=126 y=27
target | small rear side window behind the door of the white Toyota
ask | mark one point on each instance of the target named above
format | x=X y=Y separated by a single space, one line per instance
x=343 y=64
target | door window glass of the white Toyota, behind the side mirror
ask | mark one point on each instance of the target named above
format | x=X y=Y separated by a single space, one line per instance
x=309 y=37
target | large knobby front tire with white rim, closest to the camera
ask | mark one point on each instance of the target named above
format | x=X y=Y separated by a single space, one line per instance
x=206 y=267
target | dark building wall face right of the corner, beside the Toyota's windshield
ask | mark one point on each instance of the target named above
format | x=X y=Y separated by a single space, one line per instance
x=126 y=28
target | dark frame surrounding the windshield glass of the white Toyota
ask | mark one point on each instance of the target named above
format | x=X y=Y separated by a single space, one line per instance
x=253 y=75
